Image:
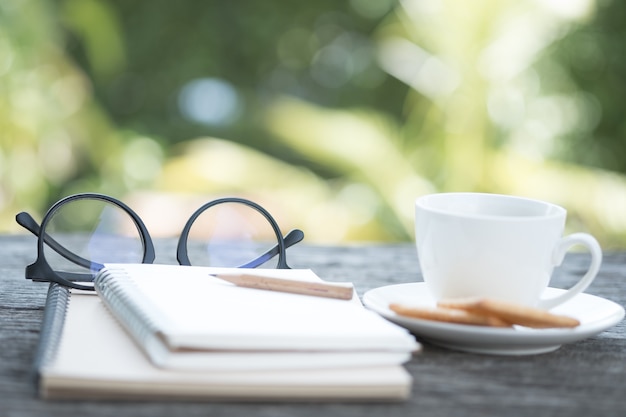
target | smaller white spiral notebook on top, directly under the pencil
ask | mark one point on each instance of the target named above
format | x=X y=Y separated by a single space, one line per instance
x=184 y=318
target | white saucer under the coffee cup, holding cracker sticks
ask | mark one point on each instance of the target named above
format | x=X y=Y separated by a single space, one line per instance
x=595 y=314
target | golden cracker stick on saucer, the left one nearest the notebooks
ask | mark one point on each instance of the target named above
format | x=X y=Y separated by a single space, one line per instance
x=448 y=315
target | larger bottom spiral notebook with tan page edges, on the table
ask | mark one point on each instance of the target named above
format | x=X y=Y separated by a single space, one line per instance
x=85 y=352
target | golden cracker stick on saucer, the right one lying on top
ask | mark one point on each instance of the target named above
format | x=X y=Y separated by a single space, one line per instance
x=512 y=312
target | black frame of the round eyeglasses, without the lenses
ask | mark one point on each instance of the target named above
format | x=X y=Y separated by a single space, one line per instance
x=41 y=271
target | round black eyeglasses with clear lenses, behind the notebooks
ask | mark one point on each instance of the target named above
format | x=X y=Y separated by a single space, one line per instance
x=82 y=232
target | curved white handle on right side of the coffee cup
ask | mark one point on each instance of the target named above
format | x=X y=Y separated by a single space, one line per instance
x=558 y=255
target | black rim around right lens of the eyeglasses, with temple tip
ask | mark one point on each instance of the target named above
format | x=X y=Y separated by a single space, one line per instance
x=294 y=236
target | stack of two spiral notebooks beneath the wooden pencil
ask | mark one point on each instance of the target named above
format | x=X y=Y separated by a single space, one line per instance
x=160 y=331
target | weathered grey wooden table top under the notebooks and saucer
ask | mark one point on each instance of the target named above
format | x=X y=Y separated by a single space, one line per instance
x=581 y=379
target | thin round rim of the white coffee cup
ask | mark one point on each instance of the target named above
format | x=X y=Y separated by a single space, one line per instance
x=551 y=210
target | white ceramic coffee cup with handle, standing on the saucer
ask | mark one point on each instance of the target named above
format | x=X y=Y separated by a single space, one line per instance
x=496 y=246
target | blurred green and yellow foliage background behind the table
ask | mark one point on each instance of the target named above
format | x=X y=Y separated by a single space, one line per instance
x=335 y=115
